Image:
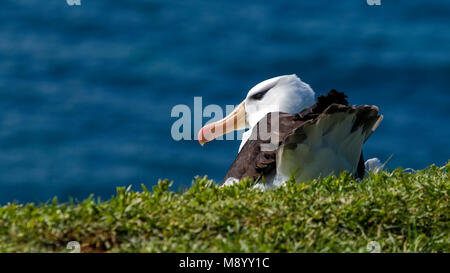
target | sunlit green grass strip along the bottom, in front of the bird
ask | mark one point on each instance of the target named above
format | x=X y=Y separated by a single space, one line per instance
x=403 y=212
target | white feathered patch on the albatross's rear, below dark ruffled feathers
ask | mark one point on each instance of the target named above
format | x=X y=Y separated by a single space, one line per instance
x=329 y=148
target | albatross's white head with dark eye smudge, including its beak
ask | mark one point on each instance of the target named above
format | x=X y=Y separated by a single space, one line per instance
x=287 y=94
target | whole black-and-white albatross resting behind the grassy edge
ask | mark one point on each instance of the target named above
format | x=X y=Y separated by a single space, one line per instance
x=308 y=138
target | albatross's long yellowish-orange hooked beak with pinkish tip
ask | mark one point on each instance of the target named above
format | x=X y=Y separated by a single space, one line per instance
x=234 y=121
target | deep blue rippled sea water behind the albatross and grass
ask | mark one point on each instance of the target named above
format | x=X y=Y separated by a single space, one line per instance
x=86 y=91
